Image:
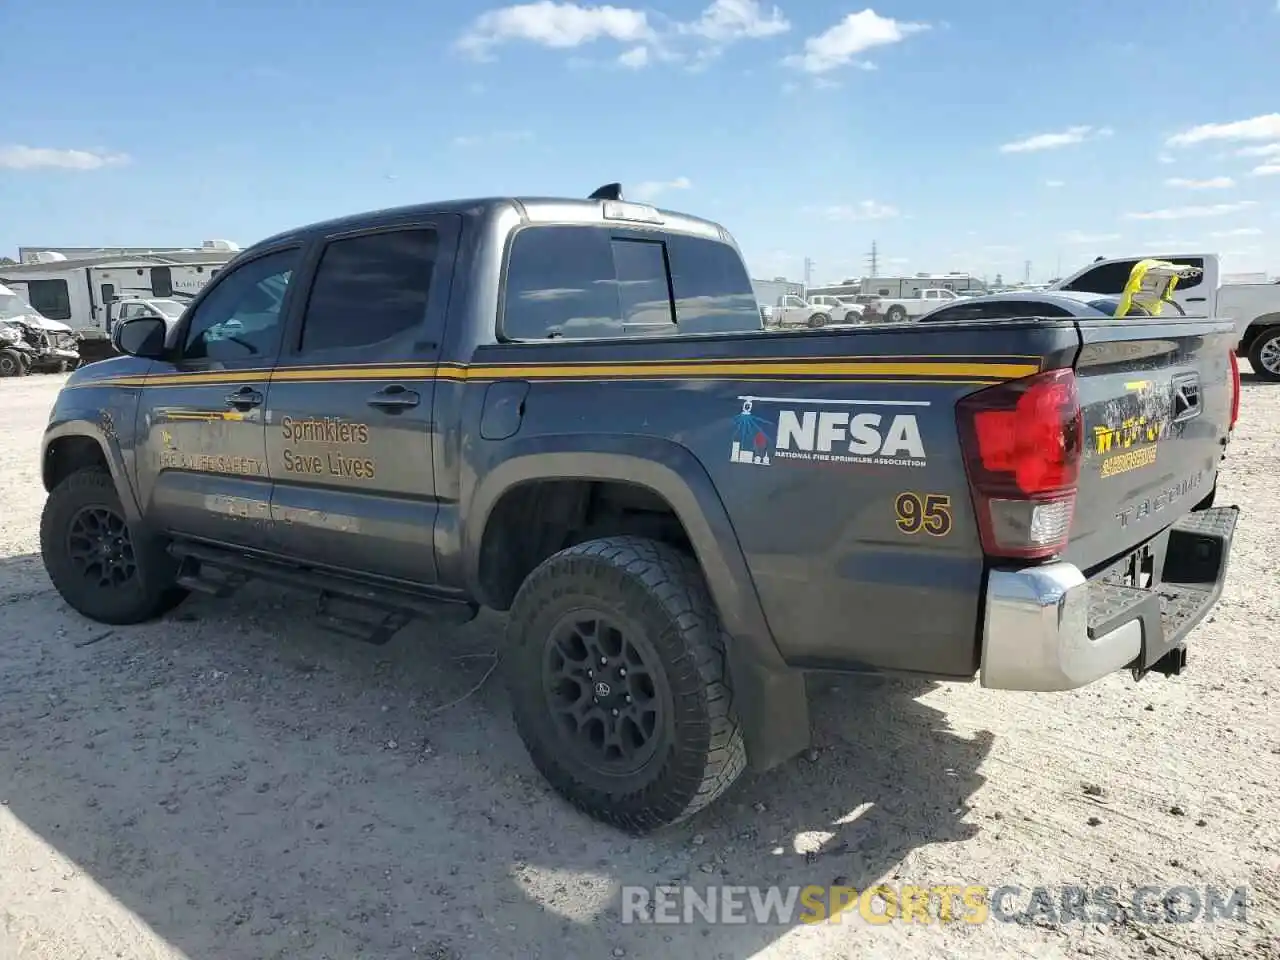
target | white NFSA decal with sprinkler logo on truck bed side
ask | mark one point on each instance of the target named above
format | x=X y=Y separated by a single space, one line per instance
x=828 y=432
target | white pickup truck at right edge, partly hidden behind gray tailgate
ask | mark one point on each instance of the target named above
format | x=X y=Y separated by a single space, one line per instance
x=1254 y=307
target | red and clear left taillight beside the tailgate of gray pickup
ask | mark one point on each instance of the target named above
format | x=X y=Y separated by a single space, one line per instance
x=1022 y=444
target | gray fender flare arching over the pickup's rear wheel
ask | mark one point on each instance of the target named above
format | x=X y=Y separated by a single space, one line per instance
x=666 y=469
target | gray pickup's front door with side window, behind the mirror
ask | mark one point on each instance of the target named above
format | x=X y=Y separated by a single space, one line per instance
x=203 y=447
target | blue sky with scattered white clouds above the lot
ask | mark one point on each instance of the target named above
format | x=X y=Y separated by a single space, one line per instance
x=968 y=136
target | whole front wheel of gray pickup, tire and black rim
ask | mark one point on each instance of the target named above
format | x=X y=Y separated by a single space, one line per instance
x=97 y=563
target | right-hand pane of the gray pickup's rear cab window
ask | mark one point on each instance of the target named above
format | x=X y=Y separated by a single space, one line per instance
x=714 y=292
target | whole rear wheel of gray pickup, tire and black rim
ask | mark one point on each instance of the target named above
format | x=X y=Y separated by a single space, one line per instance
x=616 y=666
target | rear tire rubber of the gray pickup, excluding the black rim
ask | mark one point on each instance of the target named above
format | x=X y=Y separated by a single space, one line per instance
x=662 y=592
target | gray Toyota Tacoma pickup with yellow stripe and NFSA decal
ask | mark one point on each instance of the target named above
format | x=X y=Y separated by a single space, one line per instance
x=569 y=410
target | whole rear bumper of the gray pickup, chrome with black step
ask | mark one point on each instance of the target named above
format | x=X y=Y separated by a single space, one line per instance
x=1050 y=628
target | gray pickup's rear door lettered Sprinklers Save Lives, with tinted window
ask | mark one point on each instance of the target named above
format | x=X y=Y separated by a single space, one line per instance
x=350 y=428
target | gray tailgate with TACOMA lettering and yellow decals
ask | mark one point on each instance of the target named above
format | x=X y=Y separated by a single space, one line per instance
x=1156 y=403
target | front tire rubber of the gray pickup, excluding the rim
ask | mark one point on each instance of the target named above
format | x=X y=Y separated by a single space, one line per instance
x=147 y=596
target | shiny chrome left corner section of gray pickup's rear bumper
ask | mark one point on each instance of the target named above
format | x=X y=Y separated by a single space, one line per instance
x=1036 y=633
